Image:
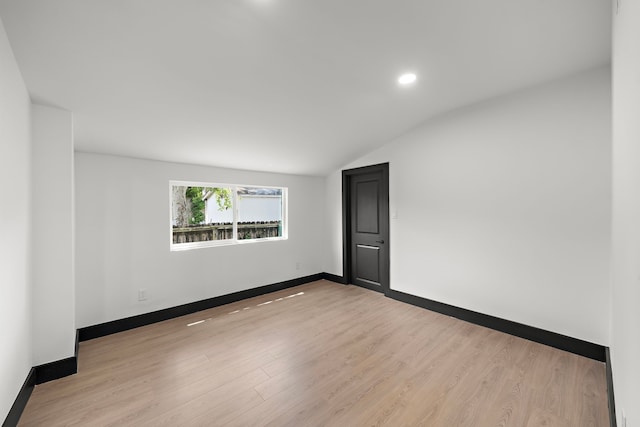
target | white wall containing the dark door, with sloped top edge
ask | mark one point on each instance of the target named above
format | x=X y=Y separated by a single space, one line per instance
x=504 y=207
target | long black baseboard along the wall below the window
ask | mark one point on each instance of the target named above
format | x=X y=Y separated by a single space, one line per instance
x=115 y=326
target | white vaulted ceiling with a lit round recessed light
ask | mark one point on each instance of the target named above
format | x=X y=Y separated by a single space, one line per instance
x=293 y=86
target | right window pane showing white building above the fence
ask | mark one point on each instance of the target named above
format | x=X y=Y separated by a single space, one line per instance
x=259 y=212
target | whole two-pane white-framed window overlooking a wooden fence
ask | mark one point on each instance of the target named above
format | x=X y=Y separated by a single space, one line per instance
x=207 y=214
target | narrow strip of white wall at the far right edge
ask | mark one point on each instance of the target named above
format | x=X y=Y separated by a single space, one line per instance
x=625 y=342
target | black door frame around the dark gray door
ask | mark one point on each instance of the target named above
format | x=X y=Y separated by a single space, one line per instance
x=347 y=174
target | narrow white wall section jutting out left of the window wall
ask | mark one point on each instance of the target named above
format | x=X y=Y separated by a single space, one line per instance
x=53 y=226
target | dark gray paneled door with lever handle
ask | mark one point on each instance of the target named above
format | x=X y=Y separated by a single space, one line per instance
x=368 y=212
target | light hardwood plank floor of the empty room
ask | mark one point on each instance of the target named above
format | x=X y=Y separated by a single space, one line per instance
x=321 y=354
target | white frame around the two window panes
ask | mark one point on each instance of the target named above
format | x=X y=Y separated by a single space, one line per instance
x=234 y=240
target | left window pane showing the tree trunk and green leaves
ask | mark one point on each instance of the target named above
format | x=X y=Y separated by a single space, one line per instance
x=201 y=214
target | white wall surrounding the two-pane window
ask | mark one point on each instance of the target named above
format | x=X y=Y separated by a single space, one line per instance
x=122 y=238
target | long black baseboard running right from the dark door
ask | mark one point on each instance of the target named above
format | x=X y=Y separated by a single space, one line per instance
x=552 y=339
